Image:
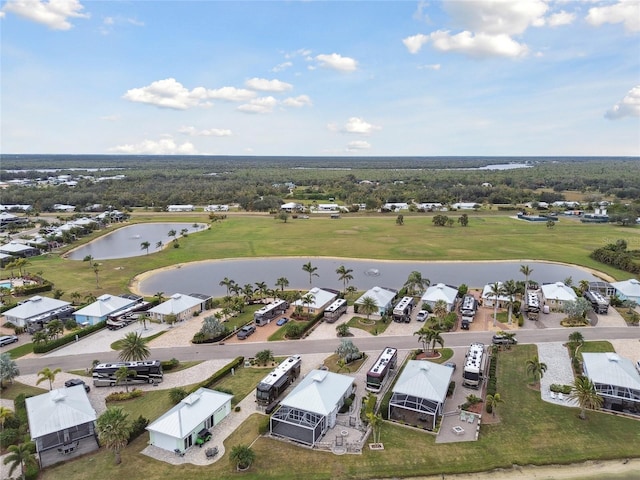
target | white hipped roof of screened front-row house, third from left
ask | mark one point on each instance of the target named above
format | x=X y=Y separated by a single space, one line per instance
x=319 y=392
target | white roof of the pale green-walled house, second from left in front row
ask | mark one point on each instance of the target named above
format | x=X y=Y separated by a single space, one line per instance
x=189 y=413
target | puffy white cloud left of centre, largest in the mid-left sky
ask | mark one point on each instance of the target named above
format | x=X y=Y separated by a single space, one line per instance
x=167 y=93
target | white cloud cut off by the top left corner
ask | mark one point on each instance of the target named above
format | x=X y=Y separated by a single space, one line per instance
x=54 y=14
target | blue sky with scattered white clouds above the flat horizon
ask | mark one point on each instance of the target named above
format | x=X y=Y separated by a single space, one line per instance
x=494 y=78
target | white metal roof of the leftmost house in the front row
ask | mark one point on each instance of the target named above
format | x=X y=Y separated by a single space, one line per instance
x=58 y=409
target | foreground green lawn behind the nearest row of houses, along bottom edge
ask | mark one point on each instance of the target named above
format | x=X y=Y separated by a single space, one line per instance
x=529 y=431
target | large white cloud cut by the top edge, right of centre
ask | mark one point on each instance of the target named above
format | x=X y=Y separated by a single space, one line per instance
x=495 y=17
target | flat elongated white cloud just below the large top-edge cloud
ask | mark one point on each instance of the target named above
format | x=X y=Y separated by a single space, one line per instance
x=478 y=45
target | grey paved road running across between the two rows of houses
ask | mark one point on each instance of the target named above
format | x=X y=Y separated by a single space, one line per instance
x=249 y=349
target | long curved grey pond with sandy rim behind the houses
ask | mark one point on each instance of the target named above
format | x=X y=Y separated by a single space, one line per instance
x=204 y=277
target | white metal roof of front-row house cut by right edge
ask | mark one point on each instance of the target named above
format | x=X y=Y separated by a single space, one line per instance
x=611 y=369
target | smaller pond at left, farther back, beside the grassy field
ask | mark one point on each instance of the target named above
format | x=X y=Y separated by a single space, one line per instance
x=127 y=241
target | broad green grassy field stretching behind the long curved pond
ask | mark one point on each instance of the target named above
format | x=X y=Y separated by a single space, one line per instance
x=490 y=237
